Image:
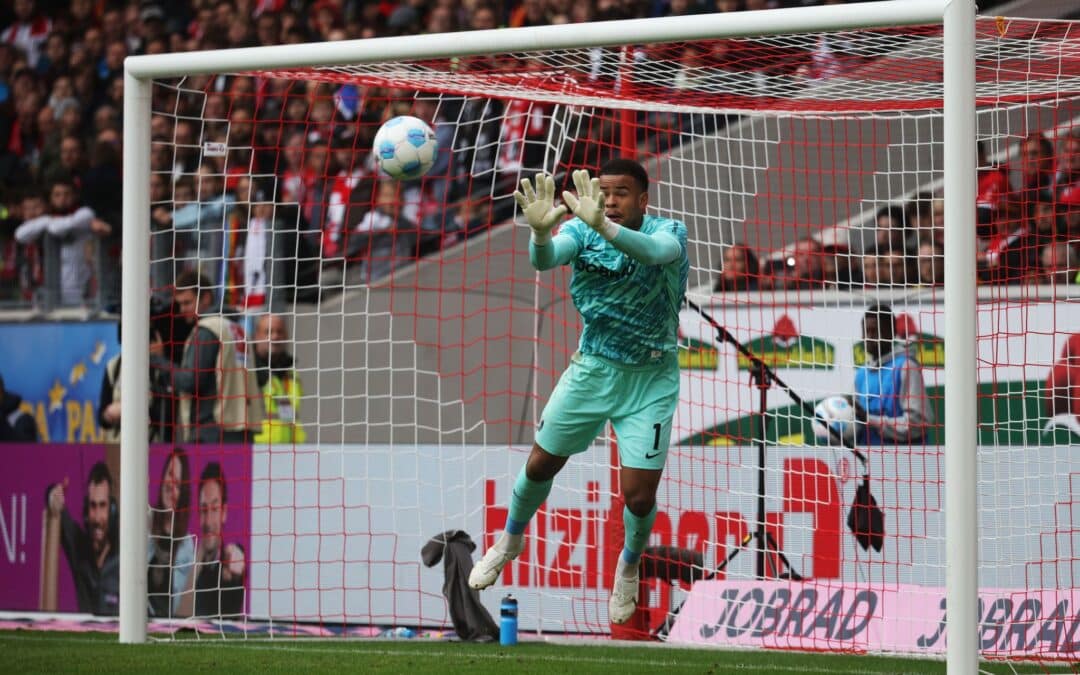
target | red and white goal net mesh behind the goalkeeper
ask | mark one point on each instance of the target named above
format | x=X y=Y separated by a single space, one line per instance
x=808 y=170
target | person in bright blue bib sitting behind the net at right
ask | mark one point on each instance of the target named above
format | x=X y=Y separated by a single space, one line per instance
x=890 y=400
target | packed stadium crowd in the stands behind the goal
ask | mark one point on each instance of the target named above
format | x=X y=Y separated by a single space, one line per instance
x=61 y=115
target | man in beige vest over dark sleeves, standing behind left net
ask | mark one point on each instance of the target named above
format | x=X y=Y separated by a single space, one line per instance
x=219 y=396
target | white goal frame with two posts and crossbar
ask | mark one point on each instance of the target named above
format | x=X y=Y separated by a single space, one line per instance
x=958 y=21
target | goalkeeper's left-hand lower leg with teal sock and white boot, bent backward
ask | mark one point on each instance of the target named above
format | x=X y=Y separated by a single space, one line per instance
x=531 y=491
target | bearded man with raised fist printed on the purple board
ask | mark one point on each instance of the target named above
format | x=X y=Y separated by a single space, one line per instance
x=93 y=550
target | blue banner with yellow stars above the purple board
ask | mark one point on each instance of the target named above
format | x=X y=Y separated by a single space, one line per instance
x=58 y=370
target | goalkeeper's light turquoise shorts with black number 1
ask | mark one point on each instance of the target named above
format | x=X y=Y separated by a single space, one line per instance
x=640 y=401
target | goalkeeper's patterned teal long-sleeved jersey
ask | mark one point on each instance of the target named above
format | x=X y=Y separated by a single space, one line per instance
x=630 y=310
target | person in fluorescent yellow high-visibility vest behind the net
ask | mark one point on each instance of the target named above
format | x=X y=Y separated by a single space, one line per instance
x=282 y=394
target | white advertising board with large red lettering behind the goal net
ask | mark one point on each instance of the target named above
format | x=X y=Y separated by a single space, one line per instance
x=336 y=533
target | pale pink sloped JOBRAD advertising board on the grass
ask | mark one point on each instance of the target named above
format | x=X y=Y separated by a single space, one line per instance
x=907 y=618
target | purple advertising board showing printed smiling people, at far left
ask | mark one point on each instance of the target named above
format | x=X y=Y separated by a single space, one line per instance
x=85 y=572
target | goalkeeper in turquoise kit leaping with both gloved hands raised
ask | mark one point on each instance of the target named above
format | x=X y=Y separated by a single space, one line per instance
x=630 y=275
